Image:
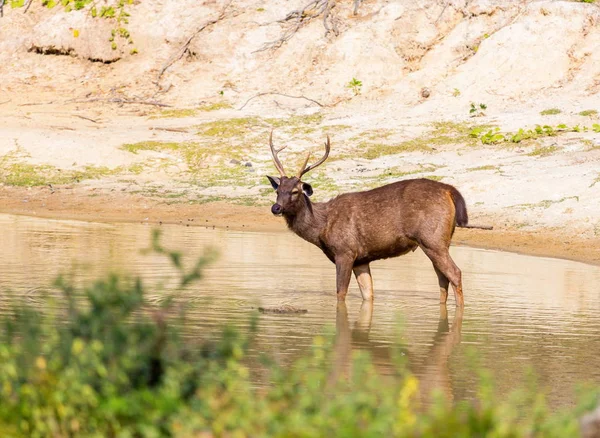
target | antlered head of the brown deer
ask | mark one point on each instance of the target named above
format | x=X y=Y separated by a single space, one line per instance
x=291 y=190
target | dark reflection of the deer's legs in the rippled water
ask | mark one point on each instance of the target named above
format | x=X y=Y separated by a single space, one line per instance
x=433 y=371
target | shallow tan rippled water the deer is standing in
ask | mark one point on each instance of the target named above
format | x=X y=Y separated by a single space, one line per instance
x=521 y=312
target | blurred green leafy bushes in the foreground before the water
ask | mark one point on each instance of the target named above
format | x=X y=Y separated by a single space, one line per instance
x=108 y=364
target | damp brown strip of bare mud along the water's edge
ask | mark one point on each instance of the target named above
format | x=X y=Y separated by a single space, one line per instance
x=94 y=205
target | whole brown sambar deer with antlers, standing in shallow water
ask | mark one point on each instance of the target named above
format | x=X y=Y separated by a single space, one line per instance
x=354 y=229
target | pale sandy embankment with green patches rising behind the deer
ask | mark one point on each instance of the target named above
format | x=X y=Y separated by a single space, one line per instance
x=497 y=98
